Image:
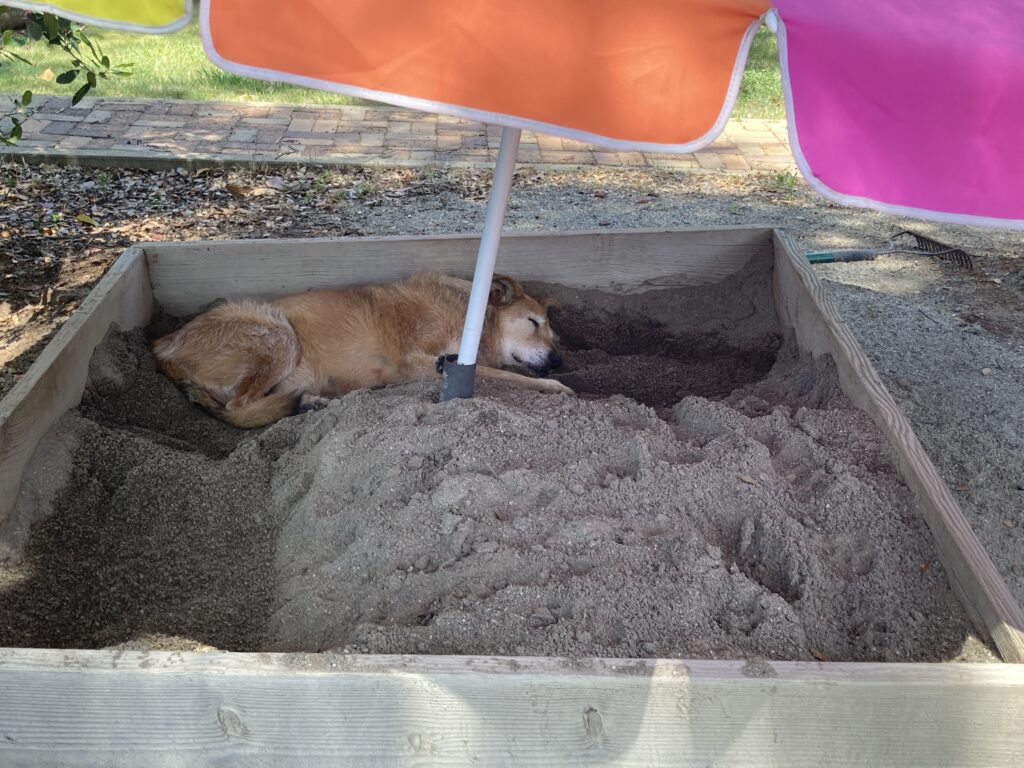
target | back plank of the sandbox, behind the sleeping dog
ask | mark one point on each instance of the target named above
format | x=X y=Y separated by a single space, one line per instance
x=187 y=277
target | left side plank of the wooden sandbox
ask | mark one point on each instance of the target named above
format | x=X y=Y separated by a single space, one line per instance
x=56 y=381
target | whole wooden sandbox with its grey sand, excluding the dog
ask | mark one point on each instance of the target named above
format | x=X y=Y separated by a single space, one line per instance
x=740 y=504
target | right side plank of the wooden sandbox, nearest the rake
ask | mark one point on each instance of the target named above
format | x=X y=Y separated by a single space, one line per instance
x=805 y=308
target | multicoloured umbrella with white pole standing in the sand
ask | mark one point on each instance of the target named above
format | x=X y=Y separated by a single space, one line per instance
x=912 y=108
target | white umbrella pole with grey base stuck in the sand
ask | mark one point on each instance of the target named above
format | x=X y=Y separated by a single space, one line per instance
x=457 y=377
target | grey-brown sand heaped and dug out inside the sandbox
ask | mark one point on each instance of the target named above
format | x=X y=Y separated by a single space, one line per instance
x=708 y=495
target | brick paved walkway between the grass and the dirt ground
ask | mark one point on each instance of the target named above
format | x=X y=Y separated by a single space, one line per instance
x=155 y=133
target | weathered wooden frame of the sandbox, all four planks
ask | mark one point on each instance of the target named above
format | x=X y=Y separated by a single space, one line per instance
x=77 y=708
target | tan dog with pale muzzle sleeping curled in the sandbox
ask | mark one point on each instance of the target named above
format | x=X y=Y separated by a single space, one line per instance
x=252 y=363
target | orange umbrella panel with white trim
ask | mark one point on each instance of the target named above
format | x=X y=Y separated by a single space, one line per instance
x=654 y=75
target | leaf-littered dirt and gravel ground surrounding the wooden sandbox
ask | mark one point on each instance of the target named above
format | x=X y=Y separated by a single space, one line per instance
x=948 y=344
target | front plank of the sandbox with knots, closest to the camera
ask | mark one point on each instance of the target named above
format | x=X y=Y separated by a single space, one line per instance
x=133 y=709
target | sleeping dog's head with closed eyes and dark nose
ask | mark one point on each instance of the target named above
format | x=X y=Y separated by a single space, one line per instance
x=527 y=338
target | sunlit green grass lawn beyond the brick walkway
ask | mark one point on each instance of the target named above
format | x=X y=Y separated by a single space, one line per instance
x=176 y=67
